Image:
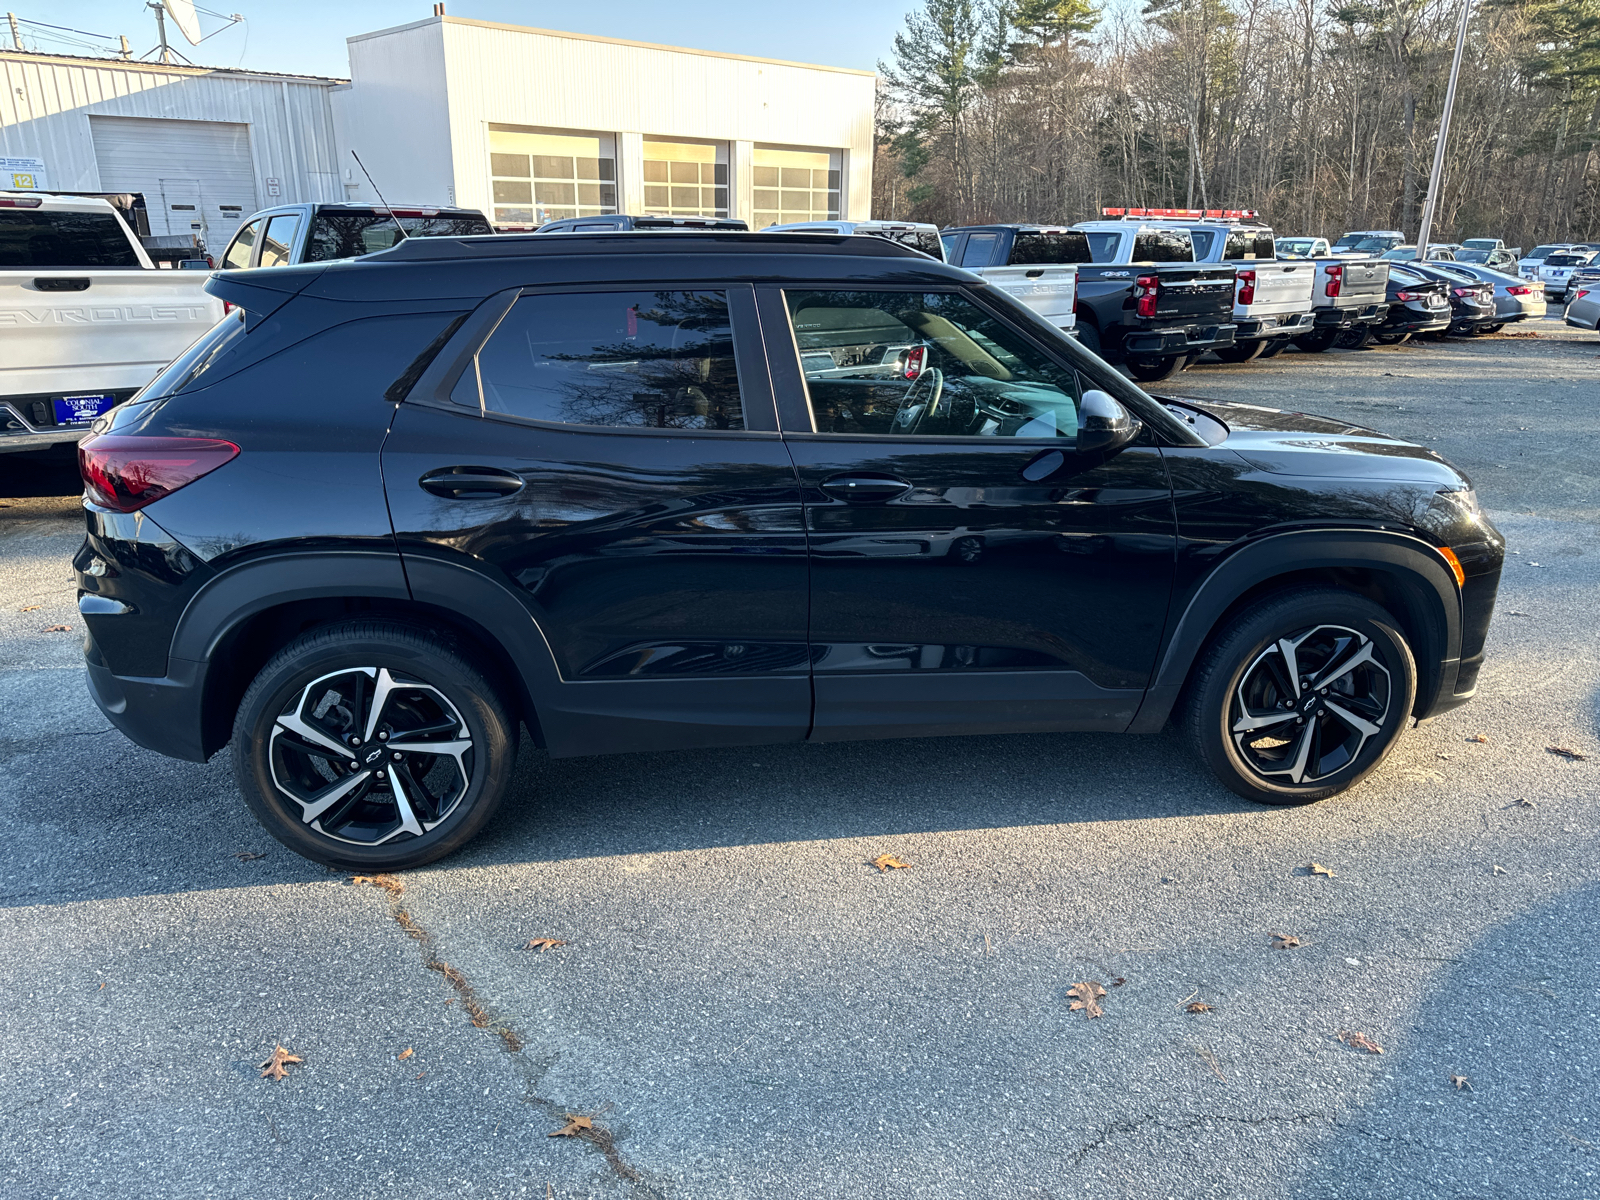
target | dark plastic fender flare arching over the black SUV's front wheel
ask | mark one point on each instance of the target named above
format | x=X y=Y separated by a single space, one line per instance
x=1409 y=561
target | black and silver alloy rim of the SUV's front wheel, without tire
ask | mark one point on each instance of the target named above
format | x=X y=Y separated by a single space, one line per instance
x=1310 y=703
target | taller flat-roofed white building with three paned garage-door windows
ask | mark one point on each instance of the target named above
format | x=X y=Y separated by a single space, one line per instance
x=532 y=124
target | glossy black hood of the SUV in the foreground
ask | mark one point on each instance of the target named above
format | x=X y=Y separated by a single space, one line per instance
x=1298 y=444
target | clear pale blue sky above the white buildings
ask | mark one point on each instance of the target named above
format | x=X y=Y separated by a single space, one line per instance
x=308 y=36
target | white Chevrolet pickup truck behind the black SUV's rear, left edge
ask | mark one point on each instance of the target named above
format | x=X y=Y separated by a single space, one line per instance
x=86 y=318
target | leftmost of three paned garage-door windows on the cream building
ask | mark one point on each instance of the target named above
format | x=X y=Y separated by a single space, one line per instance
x=546 y=177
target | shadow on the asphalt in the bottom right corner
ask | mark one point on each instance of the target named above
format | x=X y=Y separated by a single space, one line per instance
x=1513 y=1018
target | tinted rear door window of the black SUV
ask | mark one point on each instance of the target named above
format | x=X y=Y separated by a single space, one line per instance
x=625 y=359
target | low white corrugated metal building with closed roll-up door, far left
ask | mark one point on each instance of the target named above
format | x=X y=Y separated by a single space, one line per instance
x=204 y=146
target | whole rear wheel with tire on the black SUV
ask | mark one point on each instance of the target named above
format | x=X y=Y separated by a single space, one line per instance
x=318 y=692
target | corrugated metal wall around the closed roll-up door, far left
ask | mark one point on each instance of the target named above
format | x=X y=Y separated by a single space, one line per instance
x=46 y=103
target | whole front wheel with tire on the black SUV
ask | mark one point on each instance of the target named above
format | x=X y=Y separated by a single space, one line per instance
x=1241 y=678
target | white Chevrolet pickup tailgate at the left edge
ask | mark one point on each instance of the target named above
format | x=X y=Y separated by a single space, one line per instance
x=97 y=329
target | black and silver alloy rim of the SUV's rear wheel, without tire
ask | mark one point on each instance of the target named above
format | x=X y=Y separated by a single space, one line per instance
x=372 y=756
